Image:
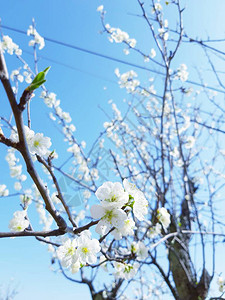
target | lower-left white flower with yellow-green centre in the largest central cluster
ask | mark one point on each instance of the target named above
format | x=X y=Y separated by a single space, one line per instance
x=110 y=216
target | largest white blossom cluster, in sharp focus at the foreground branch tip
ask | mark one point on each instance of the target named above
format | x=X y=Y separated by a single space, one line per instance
x=114 y=199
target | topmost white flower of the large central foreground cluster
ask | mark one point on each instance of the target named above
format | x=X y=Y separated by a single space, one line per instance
x=112 y=194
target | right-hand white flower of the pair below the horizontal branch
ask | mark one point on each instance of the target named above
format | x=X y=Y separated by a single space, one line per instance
x=87 y=248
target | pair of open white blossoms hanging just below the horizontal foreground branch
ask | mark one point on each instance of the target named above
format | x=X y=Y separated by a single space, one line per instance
x=75 y=253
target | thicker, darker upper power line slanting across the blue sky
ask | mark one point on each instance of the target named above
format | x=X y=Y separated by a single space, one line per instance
x=108 y=57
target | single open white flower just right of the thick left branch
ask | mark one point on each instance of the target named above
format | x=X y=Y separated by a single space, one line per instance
x=39 y=144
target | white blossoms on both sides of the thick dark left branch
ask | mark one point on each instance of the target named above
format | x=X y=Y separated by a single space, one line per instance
x=37 y=143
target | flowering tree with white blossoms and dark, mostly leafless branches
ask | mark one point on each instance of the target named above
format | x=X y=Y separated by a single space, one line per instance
x=140 y=223
